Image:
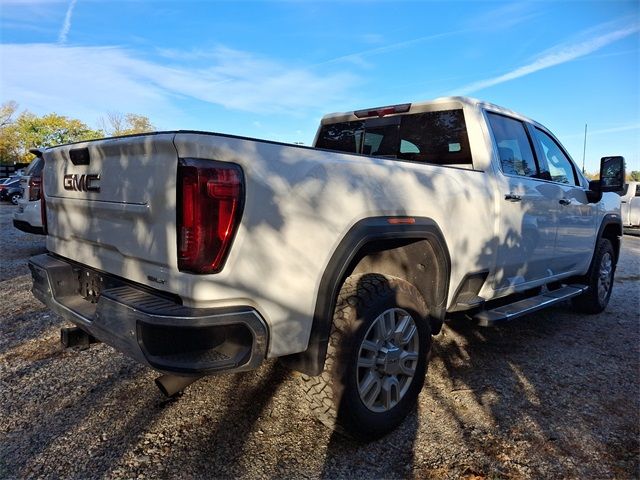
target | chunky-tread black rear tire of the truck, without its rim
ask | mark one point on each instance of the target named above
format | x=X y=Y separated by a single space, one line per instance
x=333 y=396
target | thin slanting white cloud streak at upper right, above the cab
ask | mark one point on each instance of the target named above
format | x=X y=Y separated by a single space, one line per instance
x=555 y=56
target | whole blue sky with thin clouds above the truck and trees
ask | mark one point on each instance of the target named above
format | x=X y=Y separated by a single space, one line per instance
x=271 y=69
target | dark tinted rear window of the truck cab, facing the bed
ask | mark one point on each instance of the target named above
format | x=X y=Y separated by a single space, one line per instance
x=431 y=137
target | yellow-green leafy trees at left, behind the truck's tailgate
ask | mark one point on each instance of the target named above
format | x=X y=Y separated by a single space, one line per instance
x=21 y=131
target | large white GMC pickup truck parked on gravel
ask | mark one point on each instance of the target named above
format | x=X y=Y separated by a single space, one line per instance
x=199 y=253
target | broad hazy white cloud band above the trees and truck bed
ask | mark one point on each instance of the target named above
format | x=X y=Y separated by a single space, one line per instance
x=93 y=79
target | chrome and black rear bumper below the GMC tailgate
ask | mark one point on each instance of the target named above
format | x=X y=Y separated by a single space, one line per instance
x=150 y=328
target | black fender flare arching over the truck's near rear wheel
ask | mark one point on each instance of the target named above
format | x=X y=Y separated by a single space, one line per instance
x=343 y=260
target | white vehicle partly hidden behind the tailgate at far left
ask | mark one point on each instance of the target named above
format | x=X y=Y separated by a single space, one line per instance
x=28 y=218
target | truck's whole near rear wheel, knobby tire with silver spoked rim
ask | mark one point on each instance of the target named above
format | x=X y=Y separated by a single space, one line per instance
x=376 y=358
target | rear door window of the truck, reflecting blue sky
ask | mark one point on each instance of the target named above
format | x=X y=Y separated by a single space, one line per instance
x=514 y=147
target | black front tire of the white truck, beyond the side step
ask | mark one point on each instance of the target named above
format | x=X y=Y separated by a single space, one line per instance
x=591 y=301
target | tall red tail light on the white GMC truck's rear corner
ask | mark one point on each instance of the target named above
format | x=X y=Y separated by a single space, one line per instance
x=210 y=201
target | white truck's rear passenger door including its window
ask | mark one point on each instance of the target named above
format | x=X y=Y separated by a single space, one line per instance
x=527 y=228
